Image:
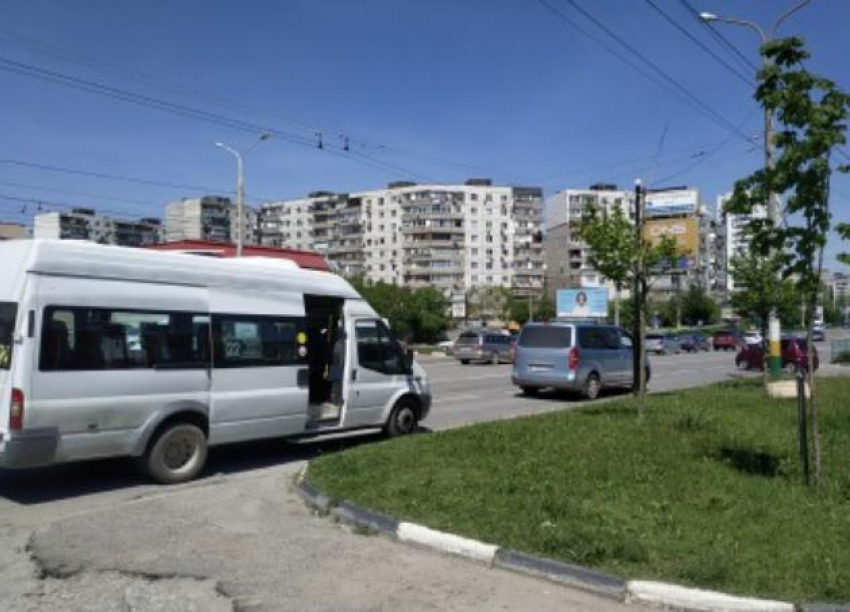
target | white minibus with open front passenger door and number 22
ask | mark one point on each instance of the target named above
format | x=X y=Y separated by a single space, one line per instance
x=111 y=351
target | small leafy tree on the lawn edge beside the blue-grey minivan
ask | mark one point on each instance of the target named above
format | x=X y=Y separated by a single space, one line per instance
x=618 y=253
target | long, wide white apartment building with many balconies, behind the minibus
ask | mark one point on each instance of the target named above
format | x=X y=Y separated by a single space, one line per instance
x=452 y=237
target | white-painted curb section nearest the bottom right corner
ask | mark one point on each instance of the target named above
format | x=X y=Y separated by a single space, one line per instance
x=671 y=595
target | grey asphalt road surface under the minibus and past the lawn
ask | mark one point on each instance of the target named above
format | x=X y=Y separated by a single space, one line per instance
x=95 y=536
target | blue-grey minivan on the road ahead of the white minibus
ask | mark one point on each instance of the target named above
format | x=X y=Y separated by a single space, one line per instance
x=581 y=357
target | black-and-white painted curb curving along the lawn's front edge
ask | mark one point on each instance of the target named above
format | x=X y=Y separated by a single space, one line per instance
x=654 y=594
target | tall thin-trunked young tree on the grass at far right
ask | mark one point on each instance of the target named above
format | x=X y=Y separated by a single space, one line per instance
x=812 y=113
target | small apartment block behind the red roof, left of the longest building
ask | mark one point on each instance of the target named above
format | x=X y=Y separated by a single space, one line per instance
x=209 y=218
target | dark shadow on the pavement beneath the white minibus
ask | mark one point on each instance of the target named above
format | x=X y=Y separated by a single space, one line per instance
x=70 y=480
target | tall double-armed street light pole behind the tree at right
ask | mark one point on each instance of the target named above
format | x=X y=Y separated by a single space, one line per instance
x=774 y=360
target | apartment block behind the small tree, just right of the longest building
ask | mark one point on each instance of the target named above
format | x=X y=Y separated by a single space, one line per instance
x=567 y=256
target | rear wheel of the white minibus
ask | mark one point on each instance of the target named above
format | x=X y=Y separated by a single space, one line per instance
x=177 y=454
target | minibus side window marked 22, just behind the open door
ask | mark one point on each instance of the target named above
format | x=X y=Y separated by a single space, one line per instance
x=242 y=341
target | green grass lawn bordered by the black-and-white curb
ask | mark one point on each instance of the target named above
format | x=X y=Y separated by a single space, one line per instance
x=706 y=492
